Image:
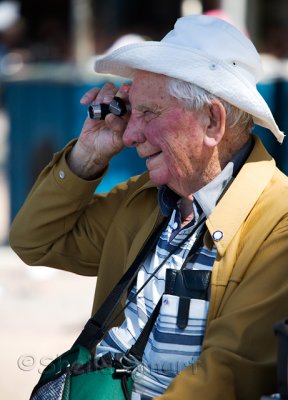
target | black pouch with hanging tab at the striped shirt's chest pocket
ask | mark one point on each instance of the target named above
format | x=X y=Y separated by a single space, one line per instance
x=187 y=284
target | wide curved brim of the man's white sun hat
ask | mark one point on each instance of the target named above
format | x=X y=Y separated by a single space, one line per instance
x=192 y=66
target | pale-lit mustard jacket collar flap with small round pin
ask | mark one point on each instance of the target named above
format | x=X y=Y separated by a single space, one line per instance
x=236 y=204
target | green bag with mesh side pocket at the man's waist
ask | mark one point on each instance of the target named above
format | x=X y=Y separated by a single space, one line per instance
x=76 y=375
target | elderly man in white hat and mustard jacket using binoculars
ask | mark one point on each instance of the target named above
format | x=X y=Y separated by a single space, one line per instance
x=193 y=106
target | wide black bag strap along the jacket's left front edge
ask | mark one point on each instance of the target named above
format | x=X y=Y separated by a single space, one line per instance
x=95 y=328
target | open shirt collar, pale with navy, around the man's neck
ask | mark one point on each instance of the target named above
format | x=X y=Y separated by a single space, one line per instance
x=207 y=196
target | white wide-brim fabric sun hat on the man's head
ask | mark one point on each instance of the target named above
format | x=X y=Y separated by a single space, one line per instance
x=206 y=51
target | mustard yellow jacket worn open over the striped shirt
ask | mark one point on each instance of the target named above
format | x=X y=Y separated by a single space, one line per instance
x=64 y=225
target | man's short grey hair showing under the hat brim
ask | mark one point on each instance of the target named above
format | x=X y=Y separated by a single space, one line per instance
x=196 y=98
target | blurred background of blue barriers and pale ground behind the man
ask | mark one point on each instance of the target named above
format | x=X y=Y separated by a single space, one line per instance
x=47 y=52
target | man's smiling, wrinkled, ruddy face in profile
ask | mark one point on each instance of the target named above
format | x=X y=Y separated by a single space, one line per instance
x=167 y=135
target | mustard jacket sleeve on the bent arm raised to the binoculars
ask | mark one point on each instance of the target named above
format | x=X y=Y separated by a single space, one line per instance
x=62 y=223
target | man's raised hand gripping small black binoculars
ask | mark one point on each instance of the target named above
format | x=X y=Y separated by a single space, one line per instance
x=99 y=140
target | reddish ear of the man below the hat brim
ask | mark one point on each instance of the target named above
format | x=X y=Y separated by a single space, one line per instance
x=216 y=127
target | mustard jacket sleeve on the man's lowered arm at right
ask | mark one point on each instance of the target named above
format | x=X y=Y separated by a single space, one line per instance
x=239 y=360
